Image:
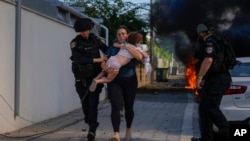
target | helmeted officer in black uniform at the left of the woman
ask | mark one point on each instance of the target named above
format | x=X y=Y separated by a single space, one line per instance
x=86 y=64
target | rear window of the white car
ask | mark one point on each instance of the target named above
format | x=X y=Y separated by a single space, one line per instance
x=241 y=70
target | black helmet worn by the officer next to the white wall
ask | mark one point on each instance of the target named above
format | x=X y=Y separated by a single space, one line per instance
x=83 y=24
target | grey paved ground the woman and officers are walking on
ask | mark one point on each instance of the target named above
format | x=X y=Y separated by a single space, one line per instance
x=168 y=116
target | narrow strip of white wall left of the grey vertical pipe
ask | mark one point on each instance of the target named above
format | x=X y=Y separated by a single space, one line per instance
x=7 y=65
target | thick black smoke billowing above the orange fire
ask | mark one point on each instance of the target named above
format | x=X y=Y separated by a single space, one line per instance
x=231 y=17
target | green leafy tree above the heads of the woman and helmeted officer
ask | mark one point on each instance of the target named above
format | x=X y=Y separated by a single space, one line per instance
x=117 y=12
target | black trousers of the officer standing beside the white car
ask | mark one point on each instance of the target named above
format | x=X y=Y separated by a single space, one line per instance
x=209 y=107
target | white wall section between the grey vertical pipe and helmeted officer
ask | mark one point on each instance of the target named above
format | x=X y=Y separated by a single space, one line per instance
x=46 y=78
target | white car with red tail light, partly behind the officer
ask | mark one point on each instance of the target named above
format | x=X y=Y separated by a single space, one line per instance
x=235 y=103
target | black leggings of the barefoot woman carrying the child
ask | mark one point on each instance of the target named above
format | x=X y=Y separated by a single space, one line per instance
x=122 y=89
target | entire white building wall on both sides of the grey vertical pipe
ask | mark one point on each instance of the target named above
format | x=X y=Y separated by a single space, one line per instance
x=47 y=83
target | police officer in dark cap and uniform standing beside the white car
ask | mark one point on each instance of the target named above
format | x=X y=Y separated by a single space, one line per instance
x=212 y=83
